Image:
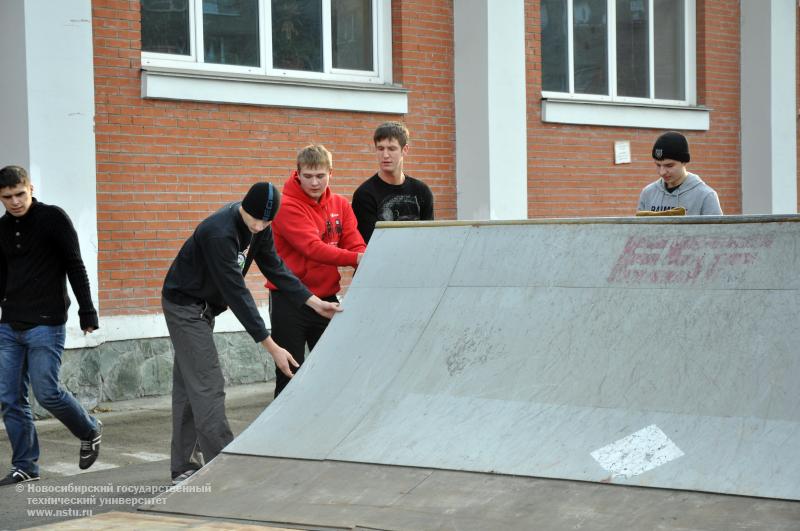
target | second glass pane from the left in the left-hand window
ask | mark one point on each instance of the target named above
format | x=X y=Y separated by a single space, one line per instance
x=230 y=32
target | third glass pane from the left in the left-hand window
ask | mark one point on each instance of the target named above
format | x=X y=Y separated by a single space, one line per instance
x=297 y=34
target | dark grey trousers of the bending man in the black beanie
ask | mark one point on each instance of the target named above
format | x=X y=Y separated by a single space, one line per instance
x=198 y=388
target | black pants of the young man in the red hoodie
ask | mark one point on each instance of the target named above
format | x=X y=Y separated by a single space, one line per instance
x=293 y=328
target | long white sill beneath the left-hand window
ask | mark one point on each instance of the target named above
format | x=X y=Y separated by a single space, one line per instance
x=173 y=84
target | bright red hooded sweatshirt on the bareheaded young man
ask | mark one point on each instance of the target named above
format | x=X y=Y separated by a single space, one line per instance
x=316 y=238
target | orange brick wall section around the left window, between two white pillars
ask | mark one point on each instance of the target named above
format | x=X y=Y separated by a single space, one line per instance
x=162 y=166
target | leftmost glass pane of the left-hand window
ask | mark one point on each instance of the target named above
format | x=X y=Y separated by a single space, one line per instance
x=165 y=26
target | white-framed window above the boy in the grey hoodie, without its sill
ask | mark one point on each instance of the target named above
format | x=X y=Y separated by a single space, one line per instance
x=630 y=51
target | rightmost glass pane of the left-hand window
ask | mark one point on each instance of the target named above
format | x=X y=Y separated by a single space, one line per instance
x=351 y=30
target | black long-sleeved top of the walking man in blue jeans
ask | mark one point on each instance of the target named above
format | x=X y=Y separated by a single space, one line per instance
x=38 y=252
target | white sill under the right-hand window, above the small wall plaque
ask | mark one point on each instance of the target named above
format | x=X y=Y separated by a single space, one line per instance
x=626 y=115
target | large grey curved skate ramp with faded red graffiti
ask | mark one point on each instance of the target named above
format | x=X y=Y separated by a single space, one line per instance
x=486 y=358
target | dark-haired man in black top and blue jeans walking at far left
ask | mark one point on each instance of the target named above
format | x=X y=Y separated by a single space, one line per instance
x=38 y=251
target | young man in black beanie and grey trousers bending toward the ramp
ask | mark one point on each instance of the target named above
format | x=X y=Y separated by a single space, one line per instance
x=207 y=277
